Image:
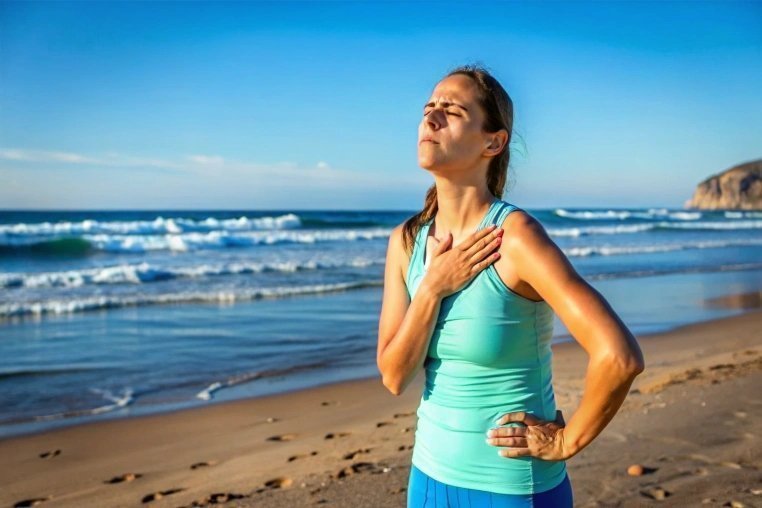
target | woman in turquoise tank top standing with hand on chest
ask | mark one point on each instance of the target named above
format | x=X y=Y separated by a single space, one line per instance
x=474 y=308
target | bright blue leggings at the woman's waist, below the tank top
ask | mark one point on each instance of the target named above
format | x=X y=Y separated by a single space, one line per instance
x=425 y=491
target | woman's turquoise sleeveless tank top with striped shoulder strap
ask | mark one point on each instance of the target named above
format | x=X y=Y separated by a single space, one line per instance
x=489 y=355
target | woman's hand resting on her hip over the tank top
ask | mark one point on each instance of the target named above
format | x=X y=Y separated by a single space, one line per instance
x=540 y=438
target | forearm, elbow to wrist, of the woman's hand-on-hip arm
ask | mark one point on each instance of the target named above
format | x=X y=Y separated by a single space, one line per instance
x=607 y=384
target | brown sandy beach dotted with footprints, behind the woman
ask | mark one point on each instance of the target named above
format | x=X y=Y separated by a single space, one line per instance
x=693 y=420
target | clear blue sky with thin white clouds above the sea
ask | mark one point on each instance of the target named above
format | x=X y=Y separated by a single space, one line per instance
x=314 y=105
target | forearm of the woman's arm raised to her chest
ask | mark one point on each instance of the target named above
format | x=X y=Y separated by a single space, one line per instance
x=406 y=352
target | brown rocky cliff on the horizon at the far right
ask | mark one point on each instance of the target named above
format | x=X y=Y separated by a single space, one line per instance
x=739 y=187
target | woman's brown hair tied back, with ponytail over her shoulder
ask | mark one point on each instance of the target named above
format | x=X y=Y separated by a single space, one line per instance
x=498 y=108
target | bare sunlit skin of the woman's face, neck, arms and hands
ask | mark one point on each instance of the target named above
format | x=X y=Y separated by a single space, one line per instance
x=528 y=262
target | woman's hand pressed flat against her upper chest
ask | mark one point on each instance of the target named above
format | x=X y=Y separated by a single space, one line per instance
x=451 y=269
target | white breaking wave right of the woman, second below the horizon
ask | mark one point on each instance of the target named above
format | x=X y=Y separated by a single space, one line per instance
x=654 y=226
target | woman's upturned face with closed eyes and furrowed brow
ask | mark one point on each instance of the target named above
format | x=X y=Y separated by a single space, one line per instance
x=450 y=136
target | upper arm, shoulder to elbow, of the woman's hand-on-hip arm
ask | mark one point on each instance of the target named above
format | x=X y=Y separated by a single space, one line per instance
x=583 y=310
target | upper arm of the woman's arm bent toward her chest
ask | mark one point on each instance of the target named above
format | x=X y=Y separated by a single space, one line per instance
x=395 y=300
